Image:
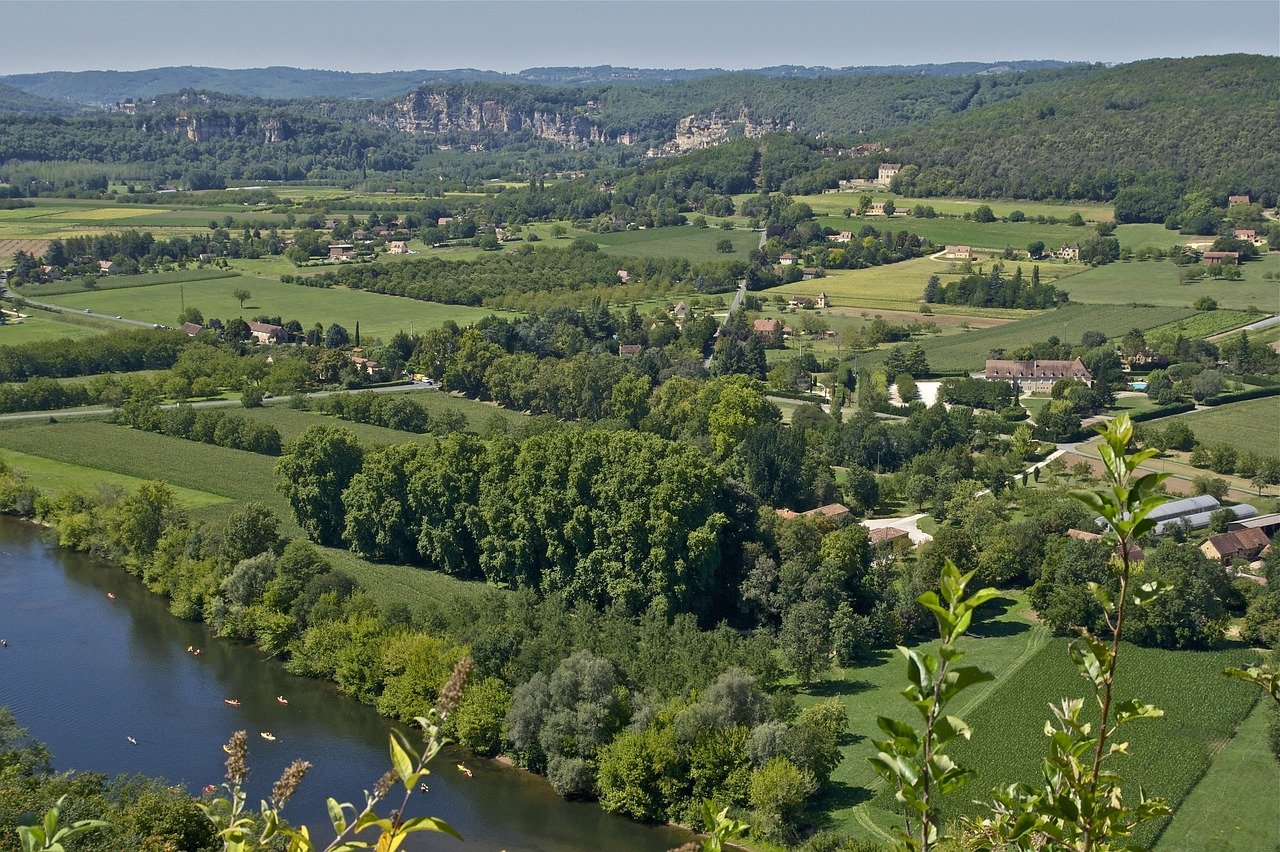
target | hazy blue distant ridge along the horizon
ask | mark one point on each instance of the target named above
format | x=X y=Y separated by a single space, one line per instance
x=107 y=88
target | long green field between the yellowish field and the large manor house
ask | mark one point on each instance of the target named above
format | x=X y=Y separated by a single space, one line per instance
x=970 y=351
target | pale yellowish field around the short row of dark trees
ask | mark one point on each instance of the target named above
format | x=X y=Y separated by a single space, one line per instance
x=902 y=286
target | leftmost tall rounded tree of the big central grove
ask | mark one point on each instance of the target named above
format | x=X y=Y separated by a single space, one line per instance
x=322 y=464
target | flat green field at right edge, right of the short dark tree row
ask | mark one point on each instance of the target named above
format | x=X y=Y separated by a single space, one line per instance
x=1156 y=283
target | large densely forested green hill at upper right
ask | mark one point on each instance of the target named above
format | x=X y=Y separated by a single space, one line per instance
x=1210 y=121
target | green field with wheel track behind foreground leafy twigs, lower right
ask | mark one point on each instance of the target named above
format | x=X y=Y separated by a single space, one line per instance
x=1204 y=709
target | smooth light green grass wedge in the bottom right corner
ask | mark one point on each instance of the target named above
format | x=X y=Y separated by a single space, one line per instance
x=1213 y=818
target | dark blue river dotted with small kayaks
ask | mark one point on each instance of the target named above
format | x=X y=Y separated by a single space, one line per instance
x=84 y=672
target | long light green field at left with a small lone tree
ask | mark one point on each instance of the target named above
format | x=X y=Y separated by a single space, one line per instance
x=380 y=317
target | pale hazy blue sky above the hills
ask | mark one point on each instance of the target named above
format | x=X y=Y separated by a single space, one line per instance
x=511 y=36
